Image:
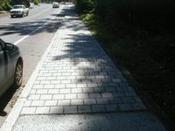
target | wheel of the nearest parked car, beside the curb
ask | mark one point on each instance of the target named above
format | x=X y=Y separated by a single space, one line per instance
x=18 y=77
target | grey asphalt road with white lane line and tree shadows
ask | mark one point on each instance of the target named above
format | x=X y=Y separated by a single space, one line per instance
x=32 y=34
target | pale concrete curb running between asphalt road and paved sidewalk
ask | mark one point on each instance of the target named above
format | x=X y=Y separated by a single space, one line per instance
x=15 y=112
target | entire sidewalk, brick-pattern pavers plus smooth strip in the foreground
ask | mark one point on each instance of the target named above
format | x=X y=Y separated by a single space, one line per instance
x=76 y=77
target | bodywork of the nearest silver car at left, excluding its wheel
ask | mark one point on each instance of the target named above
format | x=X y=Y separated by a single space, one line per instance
x=9 y=55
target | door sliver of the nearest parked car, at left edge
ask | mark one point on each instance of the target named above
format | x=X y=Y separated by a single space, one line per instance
x=2 y=67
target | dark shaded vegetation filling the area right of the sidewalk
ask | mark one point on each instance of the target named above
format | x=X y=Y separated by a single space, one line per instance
x=140 y=36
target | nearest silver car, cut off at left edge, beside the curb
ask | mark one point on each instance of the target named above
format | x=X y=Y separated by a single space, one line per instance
x=11 y=66
